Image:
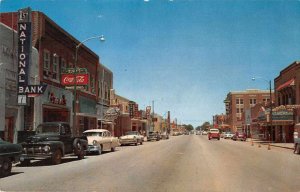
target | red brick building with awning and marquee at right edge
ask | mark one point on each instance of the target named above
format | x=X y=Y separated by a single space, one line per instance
x=287 y=100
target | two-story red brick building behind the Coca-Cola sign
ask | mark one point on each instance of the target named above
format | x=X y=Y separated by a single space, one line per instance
x=56 y=49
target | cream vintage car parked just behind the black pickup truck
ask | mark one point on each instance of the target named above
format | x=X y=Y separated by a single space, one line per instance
x=100 y=140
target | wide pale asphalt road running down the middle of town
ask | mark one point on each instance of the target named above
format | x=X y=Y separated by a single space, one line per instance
x=182 y=163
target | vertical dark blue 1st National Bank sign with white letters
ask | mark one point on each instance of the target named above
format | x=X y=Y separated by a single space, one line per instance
x=24 y=58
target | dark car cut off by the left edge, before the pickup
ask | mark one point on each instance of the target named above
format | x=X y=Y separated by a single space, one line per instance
x=9 y=153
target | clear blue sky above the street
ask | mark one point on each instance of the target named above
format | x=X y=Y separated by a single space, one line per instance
x=186 y=55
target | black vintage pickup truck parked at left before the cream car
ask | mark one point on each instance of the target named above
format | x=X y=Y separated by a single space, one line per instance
x=53 y=140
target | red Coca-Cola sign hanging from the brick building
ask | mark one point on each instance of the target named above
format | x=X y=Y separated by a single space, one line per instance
x=69 y=79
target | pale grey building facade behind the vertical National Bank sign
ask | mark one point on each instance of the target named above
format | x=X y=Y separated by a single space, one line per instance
x=11 y=114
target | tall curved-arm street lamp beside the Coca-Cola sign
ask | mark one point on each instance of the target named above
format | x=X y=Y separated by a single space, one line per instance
x=101 y=38
